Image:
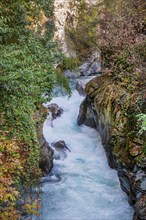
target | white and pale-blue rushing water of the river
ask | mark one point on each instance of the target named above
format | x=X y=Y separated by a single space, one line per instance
x=87 y=188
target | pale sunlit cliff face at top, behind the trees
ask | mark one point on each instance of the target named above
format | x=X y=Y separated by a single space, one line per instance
x=66 y=13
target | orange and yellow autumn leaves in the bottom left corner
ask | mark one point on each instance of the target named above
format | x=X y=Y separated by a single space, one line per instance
x=12 y=162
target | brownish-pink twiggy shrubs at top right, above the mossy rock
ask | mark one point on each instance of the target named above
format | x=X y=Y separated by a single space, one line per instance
x=121 y=37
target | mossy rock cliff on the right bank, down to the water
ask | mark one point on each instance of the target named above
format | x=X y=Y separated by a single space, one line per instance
x=110 y=108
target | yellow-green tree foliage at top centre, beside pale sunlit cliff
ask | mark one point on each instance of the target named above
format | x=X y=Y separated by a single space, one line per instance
x=83 y=35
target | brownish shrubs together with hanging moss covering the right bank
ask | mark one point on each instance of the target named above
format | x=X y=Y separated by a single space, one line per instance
x=121 y=90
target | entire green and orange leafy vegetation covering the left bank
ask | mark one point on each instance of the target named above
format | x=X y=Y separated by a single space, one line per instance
x=28 y=55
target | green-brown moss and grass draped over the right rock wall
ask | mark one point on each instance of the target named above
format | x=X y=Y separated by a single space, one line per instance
x=120 y=107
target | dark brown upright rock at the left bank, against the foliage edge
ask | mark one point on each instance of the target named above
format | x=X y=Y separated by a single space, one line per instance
x=46 y=158
